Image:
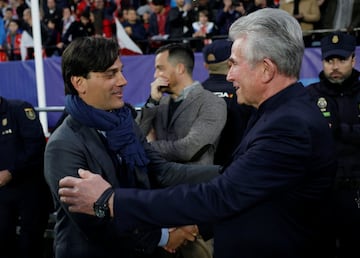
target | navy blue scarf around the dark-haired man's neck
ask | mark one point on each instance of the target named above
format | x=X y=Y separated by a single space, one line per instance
x=117 y=125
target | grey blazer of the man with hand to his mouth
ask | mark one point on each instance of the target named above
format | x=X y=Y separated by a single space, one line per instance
x=194 y=130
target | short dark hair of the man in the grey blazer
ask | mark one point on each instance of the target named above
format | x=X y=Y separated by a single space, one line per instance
x=179 y=53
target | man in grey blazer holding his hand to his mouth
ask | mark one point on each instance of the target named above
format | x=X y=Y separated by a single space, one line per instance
x=184 y=124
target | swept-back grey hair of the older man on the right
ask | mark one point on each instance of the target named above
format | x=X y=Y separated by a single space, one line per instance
x=274 y=34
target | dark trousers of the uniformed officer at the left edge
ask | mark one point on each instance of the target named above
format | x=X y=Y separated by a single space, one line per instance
x=24 y=212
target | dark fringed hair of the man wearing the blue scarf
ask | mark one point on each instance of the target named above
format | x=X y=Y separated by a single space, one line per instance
x=85 y=55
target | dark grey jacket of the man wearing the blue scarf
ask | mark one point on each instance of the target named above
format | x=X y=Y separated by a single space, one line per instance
x=74 y=146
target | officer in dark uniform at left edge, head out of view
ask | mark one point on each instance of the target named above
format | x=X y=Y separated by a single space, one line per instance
x=24 y=197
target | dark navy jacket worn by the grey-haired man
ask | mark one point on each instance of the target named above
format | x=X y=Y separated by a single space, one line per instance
x=269 y=202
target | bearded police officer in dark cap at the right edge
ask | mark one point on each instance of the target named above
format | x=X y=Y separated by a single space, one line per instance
x=338 y=97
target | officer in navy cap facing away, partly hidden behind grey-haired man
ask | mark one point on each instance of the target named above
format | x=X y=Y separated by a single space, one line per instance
x=216 y=57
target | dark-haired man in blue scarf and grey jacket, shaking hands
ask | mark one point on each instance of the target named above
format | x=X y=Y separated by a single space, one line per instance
x=100 y=134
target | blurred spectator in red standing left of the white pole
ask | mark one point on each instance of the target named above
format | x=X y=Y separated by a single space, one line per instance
x=13 y=41
